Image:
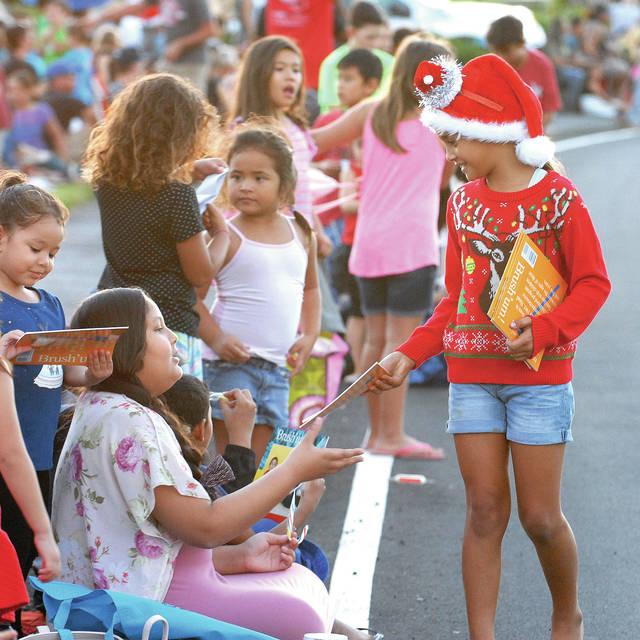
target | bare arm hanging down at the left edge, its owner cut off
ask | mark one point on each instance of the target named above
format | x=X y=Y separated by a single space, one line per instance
x=20 y=476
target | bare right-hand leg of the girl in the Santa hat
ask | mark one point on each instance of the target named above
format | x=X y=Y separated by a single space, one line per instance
x=538 y=475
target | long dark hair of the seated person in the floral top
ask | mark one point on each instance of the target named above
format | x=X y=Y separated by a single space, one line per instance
x=121 y=307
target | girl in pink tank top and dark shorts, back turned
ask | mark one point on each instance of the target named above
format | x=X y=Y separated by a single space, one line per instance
x=395 y=247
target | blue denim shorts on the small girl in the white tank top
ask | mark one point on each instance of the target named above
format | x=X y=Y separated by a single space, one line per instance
x=267 y=382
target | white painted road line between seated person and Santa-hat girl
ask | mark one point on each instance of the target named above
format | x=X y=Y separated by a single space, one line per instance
x=352 y=578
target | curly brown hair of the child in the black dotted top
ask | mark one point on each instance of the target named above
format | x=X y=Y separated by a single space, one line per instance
x=154 y=130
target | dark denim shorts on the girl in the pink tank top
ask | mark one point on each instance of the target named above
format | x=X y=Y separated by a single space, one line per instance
x=402 y=295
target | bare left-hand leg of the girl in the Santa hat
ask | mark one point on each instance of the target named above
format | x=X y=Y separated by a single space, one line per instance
x=483 y=460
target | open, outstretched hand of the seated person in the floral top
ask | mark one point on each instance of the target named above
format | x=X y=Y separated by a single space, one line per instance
x=308 y=462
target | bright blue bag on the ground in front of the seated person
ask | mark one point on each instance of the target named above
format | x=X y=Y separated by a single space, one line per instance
x=77 y=608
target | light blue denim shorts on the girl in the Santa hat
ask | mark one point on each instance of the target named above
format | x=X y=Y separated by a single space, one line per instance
x=526 y=414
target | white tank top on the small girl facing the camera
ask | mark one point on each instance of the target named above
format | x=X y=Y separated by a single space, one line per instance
x=259 y=296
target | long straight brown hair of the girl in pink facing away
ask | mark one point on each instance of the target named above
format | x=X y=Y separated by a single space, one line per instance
x=402 y=98
